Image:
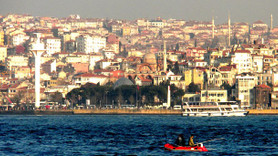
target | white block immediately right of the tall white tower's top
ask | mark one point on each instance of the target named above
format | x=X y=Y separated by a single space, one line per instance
x=52 y=45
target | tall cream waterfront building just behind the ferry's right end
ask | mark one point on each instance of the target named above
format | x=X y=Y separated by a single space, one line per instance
x=244 y=89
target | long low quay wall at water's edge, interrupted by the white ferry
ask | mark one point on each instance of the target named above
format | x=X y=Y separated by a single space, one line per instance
x=118 y=112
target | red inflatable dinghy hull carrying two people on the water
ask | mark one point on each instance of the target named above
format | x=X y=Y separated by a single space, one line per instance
x=185 y=148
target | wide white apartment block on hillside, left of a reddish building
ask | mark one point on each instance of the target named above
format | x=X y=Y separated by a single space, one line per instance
x=89 y=44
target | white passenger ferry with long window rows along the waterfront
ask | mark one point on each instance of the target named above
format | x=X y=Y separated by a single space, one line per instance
x=230 y=108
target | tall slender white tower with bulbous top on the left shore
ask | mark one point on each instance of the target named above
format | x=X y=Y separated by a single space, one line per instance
x=37 y=47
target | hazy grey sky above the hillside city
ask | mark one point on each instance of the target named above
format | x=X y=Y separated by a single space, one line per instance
x=240 y=10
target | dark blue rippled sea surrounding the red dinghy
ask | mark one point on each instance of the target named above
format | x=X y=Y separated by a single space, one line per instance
x=135 y=134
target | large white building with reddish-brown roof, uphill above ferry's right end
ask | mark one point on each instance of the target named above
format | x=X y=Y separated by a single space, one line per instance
x=243 y=60
